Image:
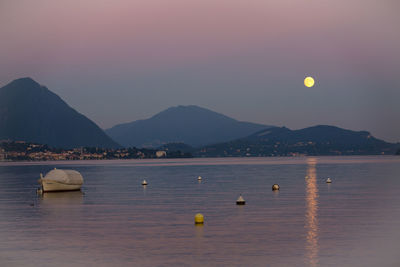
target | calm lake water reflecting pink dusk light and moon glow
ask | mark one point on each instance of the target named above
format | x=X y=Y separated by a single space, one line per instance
x=114 y=221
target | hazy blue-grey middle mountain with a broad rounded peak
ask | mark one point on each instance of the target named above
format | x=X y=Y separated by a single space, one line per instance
x=191 y=125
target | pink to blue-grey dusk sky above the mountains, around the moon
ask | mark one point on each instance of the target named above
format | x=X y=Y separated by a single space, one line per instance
x=119 y=61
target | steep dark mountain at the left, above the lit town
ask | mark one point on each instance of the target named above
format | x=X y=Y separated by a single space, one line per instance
x=30 y=112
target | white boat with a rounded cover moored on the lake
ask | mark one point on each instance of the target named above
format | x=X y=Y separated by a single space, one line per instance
x=61 y=180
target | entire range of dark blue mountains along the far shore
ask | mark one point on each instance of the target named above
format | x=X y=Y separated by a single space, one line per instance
x=31 y=112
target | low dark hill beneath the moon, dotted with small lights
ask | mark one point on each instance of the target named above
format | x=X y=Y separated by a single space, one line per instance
x=317 y=140
